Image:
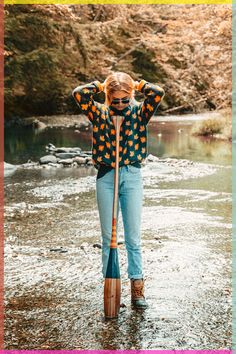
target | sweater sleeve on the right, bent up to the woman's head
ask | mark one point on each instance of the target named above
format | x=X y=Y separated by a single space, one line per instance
x=153 y=96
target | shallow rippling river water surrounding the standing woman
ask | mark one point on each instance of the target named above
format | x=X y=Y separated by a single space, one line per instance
x=53 y=282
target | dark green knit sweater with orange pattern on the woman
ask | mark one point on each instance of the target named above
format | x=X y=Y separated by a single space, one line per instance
x=133 y=131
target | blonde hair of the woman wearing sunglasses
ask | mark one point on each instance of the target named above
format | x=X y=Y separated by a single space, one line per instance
x=118 y=81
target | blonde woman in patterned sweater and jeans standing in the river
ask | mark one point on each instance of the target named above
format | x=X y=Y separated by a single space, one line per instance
x=119 y=92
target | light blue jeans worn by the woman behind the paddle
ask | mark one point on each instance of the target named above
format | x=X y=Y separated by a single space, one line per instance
x=130 y=203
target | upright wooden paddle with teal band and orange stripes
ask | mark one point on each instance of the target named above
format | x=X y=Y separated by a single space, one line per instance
x=112 y=285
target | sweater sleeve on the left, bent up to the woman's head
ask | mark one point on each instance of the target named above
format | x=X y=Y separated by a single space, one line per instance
x=83 y=96
